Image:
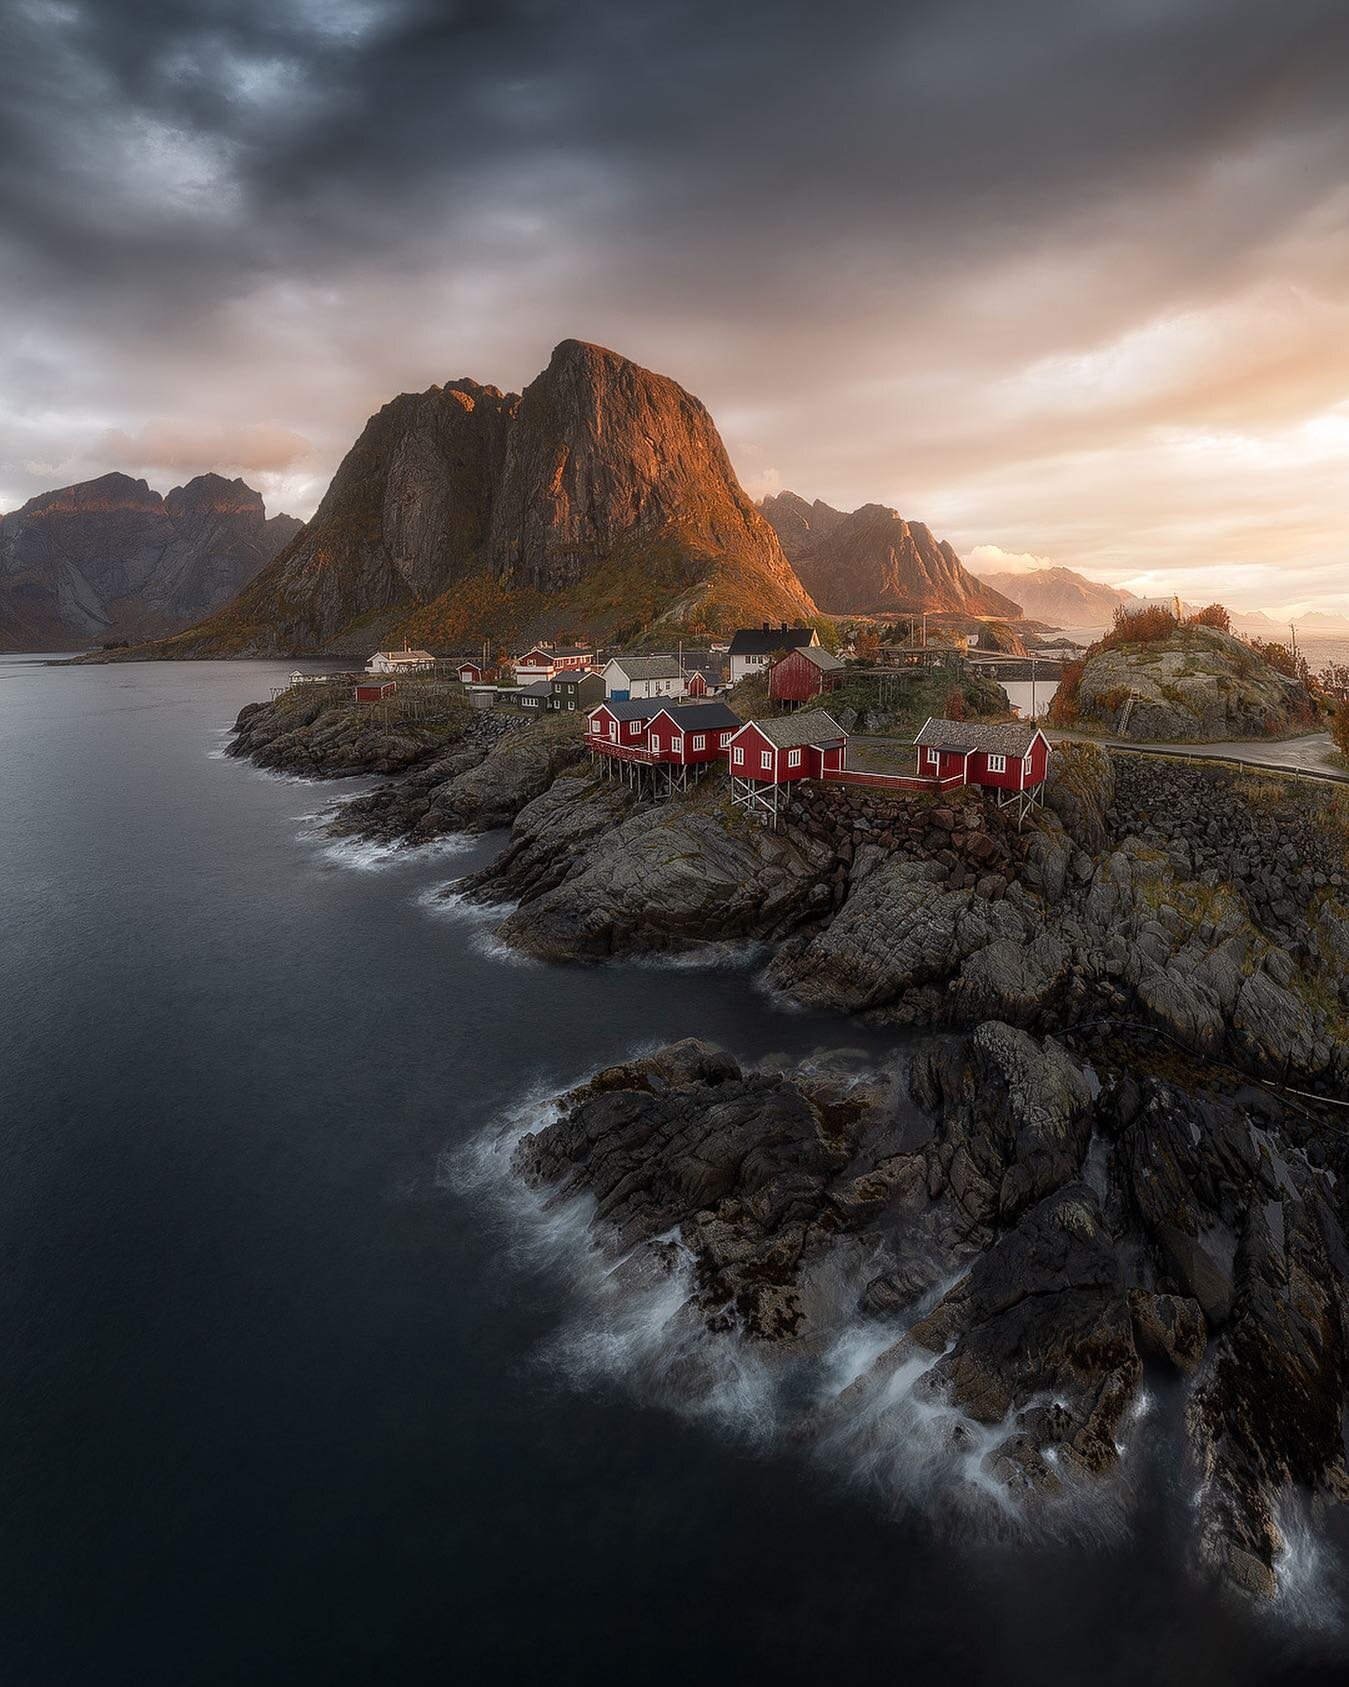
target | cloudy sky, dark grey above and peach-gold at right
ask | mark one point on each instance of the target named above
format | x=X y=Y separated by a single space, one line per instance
x=1065 y=279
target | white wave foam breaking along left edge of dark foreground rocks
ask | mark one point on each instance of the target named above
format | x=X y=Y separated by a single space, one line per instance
x=857 y=1401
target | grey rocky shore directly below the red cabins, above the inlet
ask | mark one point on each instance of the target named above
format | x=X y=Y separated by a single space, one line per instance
x=1208 y=905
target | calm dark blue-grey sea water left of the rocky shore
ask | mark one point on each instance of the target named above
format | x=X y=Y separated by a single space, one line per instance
x=274 y=1406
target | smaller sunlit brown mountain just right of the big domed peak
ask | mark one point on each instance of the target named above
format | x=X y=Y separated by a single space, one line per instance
x=876 y=563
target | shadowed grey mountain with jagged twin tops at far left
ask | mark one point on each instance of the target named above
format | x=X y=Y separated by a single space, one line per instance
x=112 y=559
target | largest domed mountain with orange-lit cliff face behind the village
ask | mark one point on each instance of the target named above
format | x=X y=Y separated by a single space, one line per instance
x=601 y=499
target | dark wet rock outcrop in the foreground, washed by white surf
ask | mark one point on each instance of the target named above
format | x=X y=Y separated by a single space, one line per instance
x=1031 y=1239
